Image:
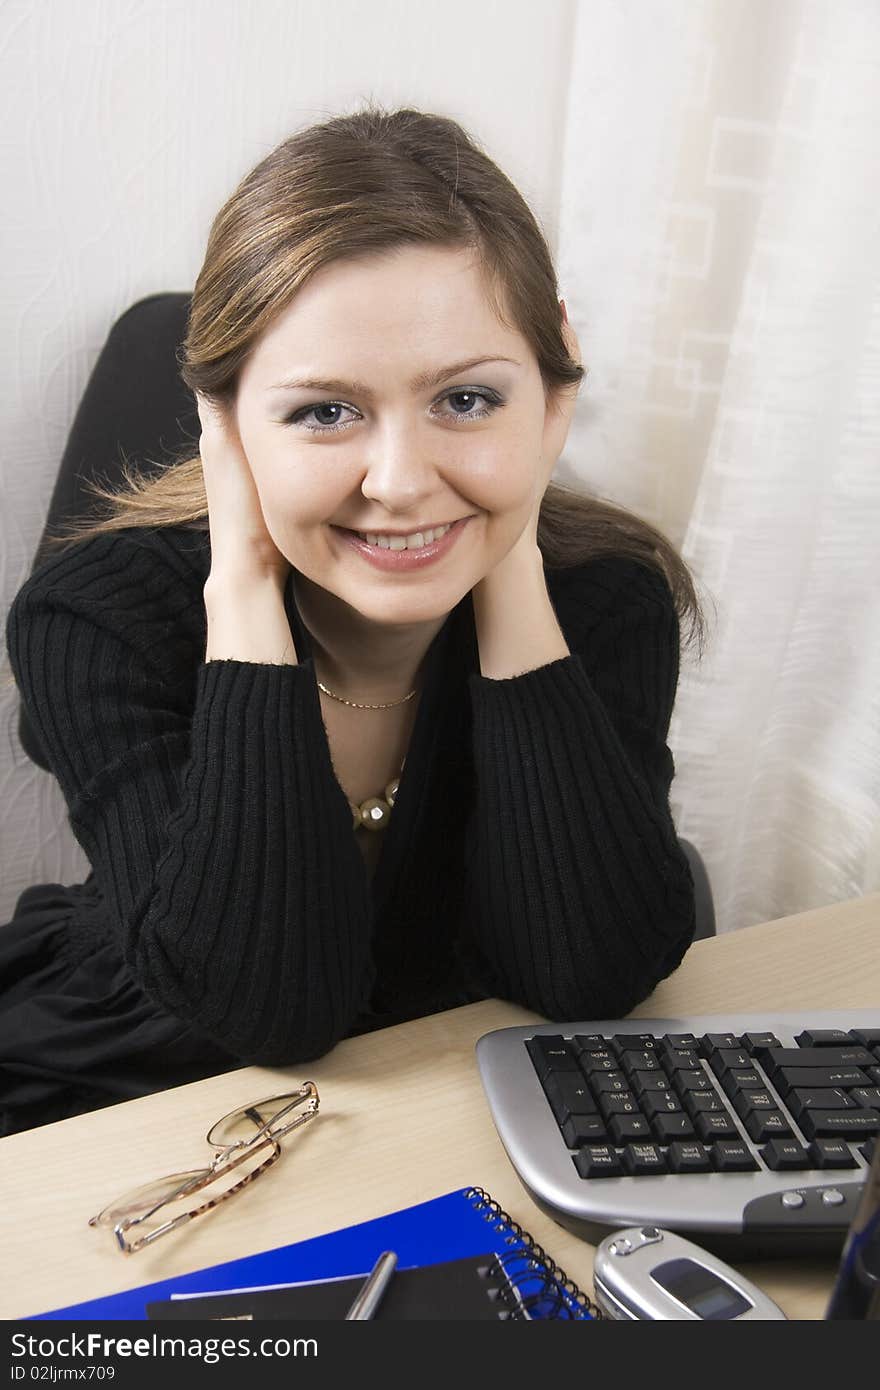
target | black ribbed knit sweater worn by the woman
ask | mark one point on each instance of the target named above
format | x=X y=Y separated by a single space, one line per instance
x=530 y=856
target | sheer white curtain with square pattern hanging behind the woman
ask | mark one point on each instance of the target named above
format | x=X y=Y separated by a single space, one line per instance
x=719 y=254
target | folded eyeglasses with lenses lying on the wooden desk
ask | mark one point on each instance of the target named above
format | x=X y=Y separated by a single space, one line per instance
x=245 y=1145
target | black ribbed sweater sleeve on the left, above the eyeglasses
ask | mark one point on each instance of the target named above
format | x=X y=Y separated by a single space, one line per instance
x=212 y=818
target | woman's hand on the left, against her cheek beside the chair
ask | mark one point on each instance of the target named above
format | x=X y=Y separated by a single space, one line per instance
x=243 y=551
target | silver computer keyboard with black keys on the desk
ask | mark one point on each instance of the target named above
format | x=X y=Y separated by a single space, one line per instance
x=747 y=1132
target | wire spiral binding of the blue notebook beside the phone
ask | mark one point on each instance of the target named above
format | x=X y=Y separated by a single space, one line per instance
x=558 y=1298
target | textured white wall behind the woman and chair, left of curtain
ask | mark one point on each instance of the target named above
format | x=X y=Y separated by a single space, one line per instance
x=126 y=124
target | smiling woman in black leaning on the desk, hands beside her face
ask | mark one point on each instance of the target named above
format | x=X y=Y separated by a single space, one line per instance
x=357 y=717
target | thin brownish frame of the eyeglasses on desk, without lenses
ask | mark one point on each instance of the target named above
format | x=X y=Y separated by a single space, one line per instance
x=222 y=1163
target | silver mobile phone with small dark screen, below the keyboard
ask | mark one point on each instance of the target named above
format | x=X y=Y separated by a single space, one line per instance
x=647 y=1273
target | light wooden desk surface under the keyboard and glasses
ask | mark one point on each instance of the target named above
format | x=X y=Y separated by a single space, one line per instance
x=404 y=1118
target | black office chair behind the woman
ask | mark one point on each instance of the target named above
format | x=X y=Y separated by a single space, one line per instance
x=137 y=407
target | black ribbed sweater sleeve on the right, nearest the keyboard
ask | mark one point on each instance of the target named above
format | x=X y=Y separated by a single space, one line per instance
x=580 y=897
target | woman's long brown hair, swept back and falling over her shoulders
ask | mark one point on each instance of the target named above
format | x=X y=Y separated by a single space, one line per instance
x=361 y=186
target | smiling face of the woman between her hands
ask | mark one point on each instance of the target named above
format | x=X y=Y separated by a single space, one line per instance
x=377 y=452
